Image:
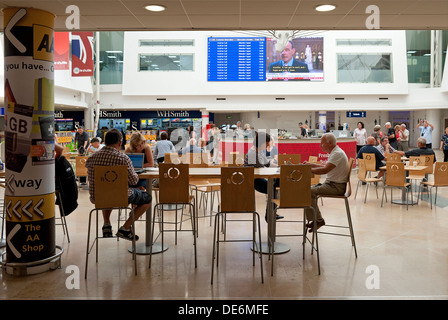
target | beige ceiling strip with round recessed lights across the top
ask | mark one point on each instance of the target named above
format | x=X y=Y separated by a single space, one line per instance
x=97 y=15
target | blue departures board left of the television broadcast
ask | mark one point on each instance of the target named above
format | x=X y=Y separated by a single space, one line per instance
x=236 y=59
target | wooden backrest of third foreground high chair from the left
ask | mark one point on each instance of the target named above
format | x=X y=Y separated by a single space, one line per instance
x=237 y=189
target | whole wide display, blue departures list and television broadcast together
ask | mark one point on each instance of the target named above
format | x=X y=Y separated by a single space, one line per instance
x=257 y=59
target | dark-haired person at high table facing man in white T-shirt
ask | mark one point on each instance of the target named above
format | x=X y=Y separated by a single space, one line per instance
x=256 y=157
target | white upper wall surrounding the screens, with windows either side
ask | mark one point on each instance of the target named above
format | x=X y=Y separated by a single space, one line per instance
x=167 y=84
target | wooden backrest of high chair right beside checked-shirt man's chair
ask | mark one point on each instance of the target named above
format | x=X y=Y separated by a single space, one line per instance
x=173 y=183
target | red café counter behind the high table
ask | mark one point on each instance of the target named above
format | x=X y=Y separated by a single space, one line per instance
x=306 y=147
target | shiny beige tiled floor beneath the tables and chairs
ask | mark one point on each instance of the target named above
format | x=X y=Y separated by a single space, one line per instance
x=401 y=255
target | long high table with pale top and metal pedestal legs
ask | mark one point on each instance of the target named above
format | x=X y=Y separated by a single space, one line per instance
x=210 y=173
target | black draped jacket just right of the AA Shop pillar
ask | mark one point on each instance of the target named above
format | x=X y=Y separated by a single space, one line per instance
x=66 y=184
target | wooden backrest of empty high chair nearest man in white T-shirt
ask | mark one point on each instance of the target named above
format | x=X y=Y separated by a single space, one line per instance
x=295 y=180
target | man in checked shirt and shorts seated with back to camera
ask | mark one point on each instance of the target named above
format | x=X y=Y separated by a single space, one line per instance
x=110 y=155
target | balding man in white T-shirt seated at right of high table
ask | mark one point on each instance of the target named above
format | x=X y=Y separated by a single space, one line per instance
x=336 y=169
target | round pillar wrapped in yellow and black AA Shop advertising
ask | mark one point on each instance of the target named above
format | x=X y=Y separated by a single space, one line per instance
x=29 y=134
